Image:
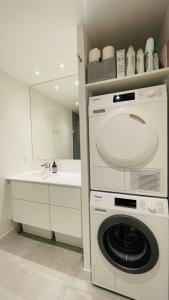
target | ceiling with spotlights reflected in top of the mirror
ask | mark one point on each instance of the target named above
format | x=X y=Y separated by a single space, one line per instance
x=64 y=91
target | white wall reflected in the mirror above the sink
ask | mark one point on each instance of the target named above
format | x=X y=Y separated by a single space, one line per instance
x=52 y=135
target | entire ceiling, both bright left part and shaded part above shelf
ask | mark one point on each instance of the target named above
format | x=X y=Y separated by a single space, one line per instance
x=39 y=35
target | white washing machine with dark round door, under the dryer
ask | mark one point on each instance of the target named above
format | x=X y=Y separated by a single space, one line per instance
x=129 y=245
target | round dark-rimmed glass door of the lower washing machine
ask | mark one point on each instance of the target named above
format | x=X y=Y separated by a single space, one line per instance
x=128 y=244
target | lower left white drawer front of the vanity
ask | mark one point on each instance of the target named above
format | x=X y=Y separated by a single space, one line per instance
x=31 y=213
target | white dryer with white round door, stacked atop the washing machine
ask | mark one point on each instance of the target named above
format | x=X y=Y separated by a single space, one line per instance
x=128 y=142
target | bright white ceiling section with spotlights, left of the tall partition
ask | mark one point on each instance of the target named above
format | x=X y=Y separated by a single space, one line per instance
x=39 y=35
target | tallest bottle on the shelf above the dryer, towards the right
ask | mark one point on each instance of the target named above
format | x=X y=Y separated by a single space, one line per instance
x=149 y=54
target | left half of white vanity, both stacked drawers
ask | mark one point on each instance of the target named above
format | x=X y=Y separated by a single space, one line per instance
x=30 y=203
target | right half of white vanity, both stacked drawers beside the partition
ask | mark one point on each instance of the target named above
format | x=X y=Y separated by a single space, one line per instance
x=65 y=210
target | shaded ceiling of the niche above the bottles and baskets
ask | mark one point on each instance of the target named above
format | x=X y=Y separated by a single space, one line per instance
x=124 y=22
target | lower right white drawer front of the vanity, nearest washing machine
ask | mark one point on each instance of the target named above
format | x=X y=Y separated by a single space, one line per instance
x=66 y=221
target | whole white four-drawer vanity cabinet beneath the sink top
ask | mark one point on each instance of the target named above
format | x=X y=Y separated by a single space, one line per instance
x=48 y=206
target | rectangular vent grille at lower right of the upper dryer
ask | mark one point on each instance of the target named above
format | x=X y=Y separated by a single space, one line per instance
x=146 y=180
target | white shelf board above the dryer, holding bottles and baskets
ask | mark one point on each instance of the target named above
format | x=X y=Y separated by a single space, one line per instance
x=130 y=82
